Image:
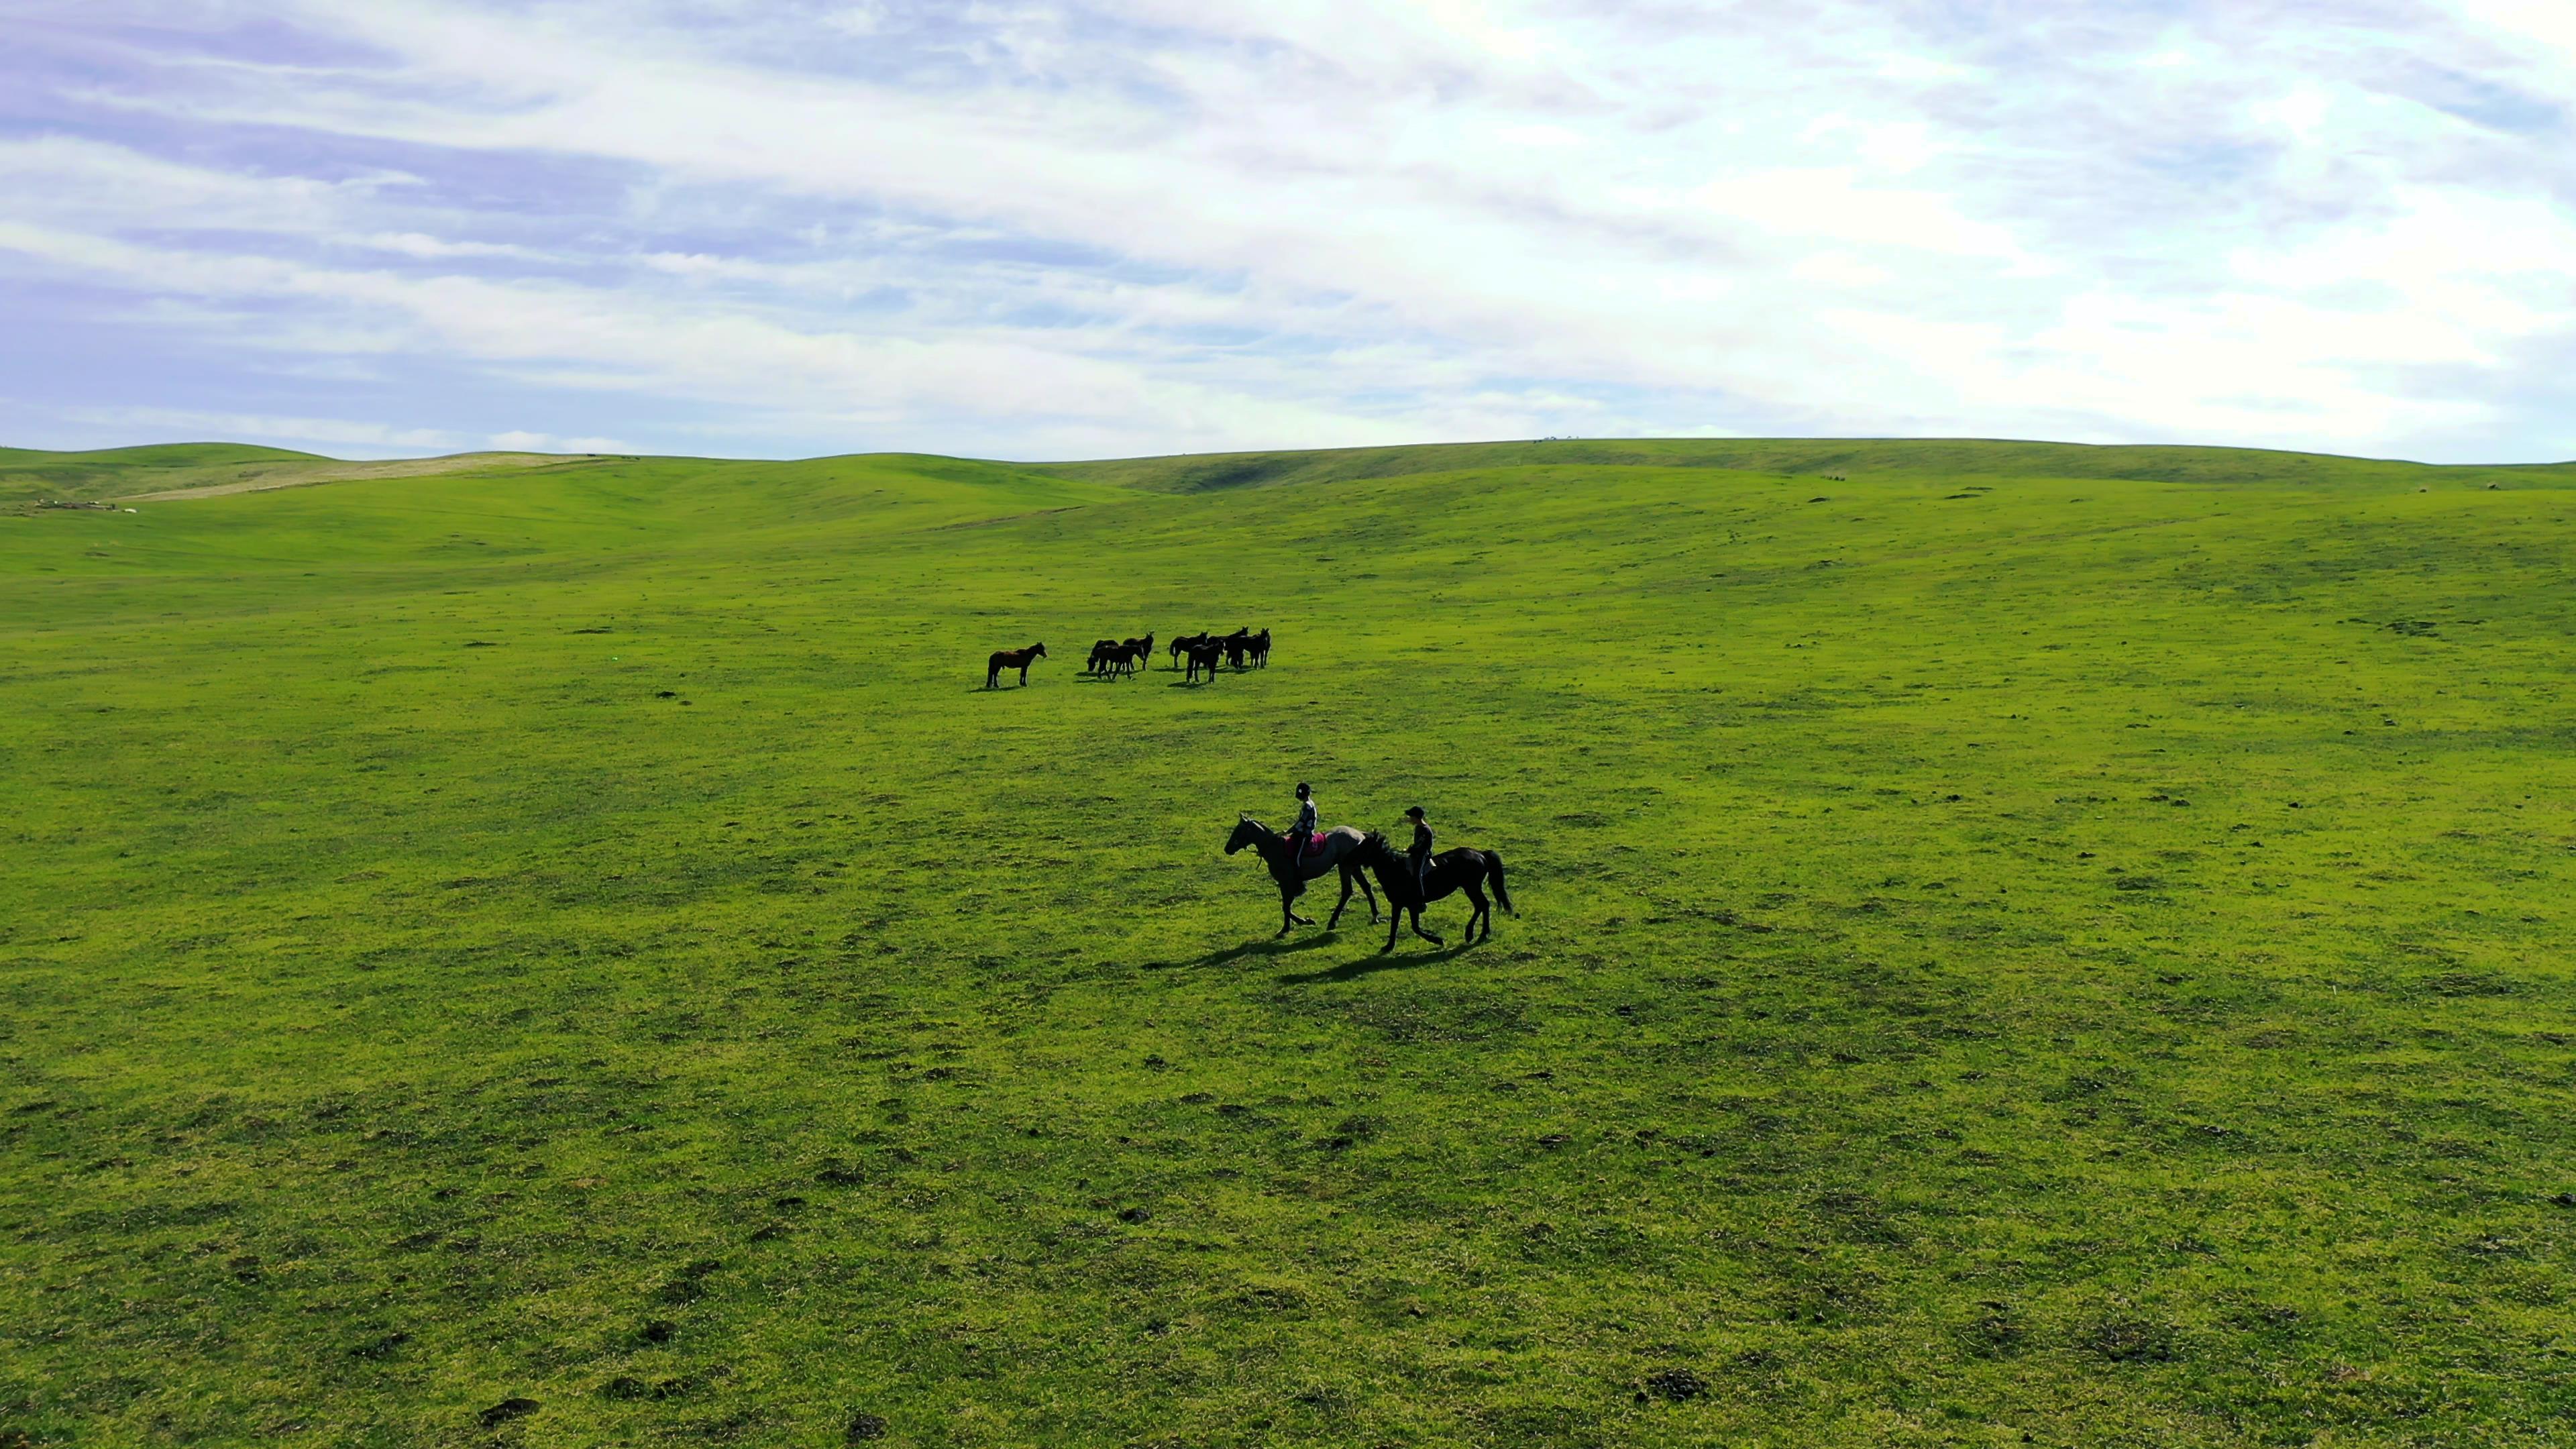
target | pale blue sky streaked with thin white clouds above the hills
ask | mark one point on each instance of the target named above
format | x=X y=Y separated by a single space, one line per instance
x=1055 y=231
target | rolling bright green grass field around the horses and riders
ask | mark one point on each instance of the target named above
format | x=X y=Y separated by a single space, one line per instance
x=2018 y=945
